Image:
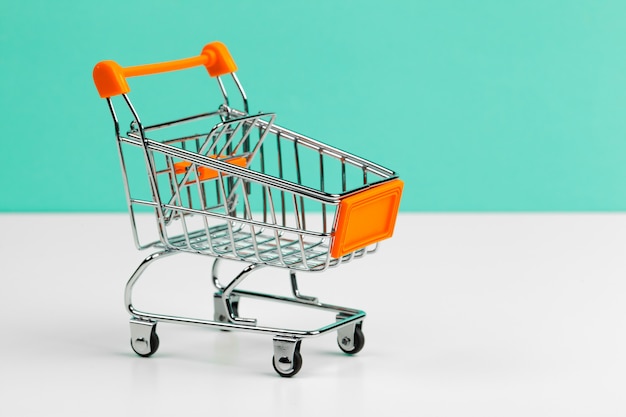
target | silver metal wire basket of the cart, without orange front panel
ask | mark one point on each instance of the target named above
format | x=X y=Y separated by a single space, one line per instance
x=283 y=234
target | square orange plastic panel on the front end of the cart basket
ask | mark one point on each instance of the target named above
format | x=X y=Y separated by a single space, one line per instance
x=366 y=218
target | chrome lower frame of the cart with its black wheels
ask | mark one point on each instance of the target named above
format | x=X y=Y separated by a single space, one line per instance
x=287 y=359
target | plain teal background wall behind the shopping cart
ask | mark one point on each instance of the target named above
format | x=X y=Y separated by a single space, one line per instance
x=479 y=105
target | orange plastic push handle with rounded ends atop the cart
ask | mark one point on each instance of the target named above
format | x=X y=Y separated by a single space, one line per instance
x=110 y=77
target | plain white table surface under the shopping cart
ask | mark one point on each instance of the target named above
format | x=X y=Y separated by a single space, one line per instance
x=468 y=315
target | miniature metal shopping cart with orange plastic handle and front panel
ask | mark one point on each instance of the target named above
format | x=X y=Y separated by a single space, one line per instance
x=247 y=190
